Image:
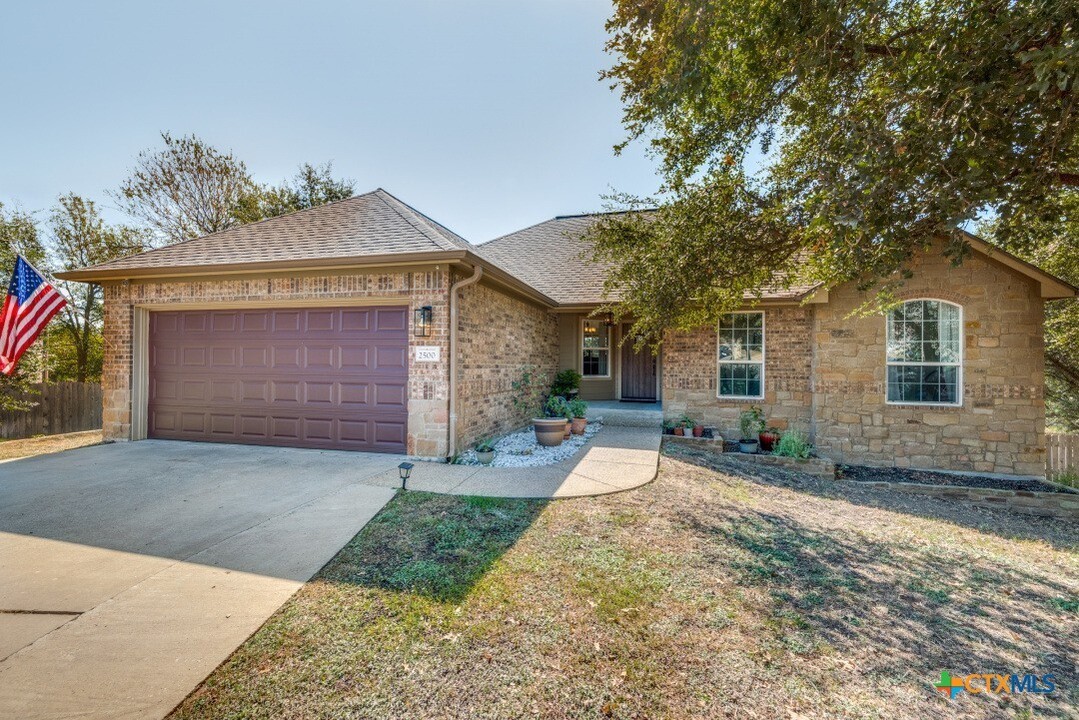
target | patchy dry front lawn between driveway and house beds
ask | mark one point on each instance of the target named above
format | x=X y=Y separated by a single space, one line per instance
x=715 y=592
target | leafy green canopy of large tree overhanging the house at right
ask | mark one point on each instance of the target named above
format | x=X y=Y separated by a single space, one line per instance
x=830 y=143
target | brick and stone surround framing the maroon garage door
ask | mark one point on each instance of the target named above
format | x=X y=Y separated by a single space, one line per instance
x=429 y=383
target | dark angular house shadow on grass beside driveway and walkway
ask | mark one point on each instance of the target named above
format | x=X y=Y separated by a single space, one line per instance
x=432 y=546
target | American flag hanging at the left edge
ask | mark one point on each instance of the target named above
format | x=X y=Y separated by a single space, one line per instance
x=32 y=303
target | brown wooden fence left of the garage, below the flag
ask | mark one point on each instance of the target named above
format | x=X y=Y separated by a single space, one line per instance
x=62 y=407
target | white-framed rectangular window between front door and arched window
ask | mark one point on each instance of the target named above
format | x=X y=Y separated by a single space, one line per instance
x=741 y=356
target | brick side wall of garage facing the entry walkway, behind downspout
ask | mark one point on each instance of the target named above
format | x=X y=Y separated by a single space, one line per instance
x=498 y=336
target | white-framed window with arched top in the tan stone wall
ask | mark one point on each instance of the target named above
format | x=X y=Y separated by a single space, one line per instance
x=925 y=354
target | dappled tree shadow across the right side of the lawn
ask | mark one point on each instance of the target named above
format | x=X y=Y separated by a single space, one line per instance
x=903 y=607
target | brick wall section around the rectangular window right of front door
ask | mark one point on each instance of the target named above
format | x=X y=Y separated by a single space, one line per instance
x=690 y=371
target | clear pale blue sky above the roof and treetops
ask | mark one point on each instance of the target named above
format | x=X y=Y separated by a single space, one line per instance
x=486 y=115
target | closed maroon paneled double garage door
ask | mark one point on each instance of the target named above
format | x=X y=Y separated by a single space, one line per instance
x=317 y=378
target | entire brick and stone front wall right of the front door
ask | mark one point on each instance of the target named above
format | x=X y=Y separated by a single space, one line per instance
x=826 y=374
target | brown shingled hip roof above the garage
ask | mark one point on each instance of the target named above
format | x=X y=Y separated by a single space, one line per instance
x=373 y=224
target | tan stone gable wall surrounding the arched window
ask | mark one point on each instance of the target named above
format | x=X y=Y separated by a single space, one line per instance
x=1001 y=426
